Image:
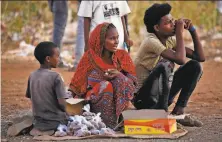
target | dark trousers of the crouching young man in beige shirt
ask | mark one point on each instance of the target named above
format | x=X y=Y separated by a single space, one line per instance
x=156 y=93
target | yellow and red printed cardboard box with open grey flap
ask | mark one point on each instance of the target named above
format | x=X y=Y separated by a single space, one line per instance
x=148 y=121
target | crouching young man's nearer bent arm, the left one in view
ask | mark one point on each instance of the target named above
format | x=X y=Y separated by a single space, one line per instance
x=178 y=56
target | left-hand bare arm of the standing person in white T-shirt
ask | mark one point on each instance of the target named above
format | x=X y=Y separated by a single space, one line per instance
x=87 y=21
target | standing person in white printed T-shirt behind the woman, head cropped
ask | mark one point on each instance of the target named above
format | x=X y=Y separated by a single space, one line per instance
x=96 y=12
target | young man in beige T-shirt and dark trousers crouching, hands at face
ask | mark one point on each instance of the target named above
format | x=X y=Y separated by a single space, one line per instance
x=156 y=57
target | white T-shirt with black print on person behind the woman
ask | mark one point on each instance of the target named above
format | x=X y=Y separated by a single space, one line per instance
x=105 y=11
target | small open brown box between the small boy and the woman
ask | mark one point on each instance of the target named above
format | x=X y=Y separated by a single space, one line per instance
x=74 y=106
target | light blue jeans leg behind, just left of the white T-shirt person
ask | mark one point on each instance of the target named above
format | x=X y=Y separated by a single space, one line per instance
x=80 y=42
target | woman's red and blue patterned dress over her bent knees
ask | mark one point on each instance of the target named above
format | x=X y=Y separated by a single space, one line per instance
x=109 y=98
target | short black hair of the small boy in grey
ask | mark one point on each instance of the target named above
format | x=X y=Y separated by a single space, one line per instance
x=44 y=49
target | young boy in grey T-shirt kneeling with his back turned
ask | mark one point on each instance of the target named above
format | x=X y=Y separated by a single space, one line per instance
x=46 y=92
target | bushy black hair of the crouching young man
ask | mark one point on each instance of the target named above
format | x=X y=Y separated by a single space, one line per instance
x=153 y=15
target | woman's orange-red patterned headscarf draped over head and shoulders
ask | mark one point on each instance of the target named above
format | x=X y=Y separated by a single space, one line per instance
x=92 y=60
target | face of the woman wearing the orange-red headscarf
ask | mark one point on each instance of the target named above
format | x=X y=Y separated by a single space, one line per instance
x=111 y=40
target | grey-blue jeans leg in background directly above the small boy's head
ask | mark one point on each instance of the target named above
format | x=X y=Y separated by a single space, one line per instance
x=60 y=15
